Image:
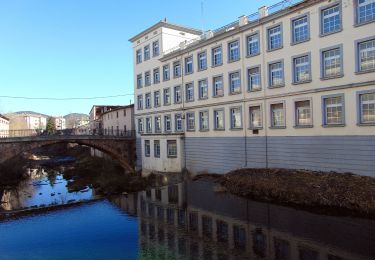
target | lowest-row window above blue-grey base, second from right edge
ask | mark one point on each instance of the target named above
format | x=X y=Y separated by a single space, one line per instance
x=333 y=110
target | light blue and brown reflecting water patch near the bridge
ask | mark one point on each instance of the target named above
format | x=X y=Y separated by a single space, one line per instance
x=42 y=188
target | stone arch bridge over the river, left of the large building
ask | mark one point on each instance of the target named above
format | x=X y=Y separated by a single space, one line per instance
x=120 y=148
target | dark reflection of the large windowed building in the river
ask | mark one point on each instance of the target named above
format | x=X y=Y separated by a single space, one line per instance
x=192 y=221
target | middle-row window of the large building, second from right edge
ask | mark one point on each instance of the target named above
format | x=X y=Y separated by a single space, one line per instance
x=332 y=63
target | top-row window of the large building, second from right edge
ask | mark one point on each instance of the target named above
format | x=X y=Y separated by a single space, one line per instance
x=330 y=19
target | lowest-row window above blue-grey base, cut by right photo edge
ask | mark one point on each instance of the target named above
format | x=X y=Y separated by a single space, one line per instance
x=367 y=108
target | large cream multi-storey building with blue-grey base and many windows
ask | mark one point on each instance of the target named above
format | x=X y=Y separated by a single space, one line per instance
x=291 y=86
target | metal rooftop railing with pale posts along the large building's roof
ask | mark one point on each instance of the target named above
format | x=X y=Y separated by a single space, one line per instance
x=254 y=17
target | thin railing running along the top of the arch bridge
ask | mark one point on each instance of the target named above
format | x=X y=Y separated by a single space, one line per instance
x=65 y=132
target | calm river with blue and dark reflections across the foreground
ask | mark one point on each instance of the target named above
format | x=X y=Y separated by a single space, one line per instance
x=188 y=220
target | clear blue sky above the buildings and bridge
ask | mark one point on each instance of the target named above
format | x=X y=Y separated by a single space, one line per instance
x=80 y=48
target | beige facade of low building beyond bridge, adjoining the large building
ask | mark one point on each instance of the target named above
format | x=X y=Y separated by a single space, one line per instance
x=119 y=121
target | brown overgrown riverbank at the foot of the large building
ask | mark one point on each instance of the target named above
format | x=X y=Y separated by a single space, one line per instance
x=326 y=192
